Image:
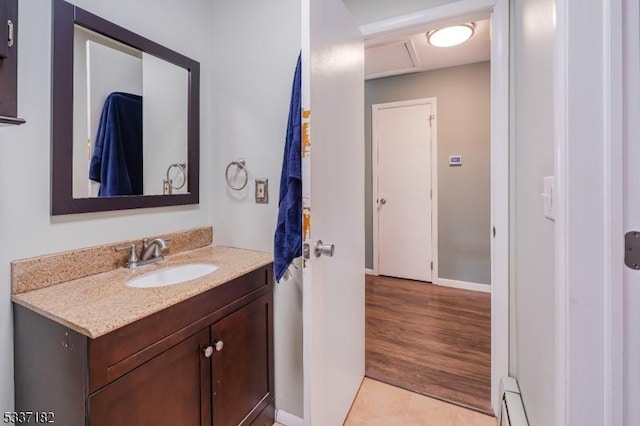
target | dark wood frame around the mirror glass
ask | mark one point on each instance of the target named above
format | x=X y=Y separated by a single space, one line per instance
x=65 y=16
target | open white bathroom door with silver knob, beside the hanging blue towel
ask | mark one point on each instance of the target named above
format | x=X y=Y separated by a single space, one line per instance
x=333 y=197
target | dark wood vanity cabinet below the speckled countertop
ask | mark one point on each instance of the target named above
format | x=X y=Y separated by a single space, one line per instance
x=205 y=361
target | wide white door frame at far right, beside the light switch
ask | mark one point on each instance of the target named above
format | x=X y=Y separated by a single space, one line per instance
x=589 y=171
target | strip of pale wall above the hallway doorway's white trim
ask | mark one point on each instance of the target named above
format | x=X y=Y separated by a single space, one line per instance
x=367 y=11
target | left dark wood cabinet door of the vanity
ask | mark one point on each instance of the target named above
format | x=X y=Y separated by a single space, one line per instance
x=170 y=389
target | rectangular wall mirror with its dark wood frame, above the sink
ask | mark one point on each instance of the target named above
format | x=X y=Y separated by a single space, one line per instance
x=125 y=118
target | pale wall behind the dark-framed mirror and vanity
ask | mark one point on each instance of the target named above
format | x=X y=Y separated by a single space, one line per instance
x=26 y=227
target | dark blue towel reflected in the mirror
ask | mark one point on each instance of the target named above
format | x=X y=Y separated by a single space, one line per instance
x=117 y=155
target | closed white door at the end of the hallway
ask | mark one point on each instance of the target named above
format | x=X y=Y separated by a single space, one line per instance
x=403 y=135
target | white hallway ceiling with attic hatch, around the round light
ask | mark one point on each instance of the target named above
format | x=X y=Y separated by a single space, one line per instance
x=409 y=54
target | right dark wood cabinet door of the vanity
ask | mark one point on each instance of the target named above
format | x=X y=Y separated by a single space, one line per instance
x=242 y=363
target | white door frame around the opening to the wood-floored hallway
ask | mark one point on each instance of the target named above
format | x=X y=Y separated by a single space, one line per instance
x=498 y=12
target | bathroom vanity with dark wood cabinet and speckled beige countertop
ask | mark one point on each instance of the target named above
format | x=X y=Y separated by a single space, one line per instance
x=205 y=360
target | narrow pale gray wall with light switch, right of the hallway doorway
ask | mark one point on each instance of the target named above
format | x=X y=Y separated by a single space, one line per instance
x=532 y=342
